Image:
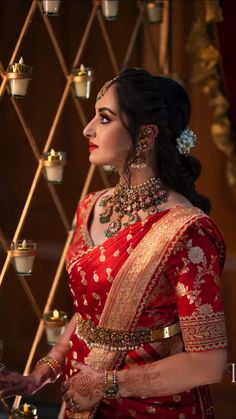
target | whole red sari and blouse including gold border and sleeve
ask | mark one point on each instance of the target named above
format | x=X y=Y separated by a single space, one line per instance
x=178 y=282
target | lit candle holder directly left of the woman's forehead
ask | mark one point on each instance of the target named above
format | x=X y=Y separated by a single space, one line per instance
x=82 y=78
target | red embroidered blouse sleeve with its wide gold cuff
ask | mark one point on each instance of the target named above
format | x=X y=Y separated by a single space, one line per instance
x=194 y=271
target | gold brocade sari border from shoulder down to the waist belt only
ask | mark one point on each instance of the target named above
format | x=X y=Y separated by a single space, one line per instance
x=131 y=287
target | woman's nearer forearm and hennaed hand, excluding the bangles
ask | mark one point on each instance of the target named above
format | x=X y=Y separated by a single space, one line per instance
x=171 y=375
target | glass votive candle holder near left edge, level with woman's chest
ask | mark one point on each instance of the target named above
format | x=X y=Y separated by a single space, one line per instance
x=24 y=252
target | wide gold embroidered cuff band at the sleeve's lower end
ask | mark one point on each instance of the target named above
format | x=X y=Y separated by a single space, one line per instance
x=202 y=331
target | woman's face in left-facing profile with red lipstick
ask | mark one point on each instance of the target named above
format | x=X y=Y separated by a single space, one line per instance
x=109 y=140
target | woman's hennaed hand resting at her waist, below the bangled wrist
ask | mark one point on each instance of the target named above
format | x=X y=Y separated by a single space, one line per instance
x=85 y=389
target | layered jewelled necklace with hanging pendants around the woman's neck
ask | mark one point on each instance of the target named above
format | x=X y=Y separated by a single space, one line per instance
x=128 y=200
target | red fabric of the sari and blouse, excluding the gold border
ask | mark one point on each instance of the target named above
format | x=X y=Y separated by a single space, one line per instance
x=189 y=285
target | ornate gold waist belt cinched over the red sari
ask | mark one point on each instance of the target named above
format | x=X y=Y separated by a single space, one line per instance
x=115 y=340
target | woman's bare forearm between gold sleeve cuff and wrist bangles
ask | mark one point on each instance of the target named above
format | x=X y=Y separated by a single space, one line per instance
x=172 y=375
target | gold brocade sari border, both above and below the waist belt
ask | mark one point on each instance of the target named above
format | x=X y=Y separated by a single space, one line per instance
x=129 y=292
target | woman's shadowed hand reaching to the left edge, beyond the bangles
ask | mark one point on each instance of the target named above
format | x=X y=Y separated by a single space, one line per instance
x=13 y=383
